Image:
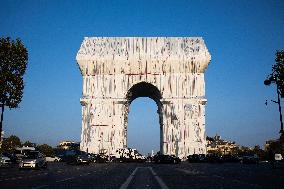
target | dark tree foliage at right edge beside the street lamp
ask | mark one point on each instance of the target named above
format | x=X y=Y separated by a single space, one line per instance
x=277 y=75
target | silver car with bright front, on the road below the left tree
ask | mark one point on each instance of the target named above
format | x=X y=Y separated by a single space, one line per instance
x=33 y=160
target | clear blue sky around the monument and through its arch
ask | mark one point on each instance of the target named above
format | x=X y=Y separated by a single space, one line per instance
x=242 y=37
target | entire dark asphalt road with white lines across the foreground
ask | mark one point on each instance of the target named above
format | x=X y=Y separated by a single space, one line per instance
x=146 y=175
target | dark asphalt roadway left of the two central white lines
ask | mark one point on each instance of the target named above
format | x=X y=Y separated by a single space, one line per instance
x=70 y=176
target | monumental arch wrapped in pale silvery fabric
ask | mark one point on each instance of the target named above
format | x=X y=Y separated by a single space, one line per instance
x=170 y=70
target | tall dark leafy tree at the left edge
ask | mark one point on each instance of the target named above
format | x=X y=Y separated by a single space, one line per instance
x=13 y=64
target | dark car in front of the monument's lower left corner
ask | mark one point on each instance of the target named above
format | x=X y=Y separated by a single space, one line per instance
x=77 y=157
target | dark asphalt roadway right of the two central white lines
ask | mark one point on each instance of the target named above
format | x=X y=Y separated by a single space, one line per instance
x=206 y=175
